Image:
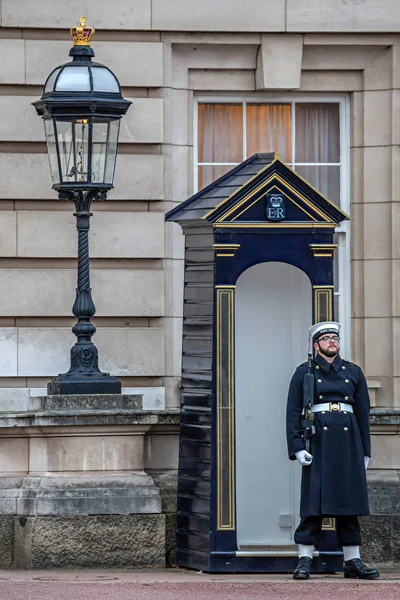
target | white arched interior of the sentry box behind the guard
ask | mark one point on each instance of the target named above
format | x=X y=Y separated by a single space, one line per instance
x=273 y=314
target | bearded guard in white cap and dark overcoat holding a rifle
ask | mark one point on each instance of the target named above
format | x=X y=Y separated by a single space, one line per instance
x=333 y=476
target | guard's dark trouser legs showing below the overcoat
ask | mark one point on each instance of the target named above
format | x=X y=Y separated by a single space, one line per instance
x=347 y=531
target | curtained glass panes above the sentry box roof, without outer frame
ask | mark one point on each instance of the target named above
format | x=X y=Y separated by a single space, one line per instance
x=306 y=135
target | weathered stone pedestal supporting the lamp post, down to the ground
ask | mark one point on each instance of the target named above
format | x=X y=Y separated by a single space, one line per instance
x=88 y=481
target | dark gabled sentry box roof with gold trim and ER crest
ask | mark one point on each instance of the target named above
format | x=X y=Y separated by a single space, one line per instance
x=245 y=194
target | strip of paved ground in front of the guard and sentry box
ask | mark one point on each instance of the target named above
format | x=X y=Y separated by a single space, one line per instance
x=188 y=585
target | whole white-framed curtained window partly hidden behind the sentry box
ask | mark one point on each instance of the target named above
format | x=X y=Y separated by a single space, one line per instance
x=310 y=134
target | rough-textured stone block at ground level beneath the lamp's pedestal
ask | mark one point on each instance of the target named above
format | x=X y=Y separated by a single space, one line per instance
x=106 y=541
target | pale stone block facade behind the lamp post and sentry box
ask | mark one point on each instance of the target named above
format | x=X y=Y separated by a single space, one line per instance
x=136 y=258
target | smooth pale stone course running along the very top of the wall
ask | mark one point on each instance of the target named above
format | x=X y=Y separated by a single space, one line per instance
x=187 y=15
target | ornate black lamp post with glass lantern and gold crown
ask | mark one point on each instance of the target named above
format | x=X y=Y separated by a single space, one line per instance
x=81 y=107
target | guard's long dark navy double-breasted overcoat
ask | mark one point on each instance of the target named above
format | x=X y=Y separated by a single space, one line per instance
x=335 y=483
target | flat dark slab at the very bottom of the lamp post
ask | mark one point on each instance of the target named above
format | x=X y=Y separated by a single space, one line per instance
x=81 y=384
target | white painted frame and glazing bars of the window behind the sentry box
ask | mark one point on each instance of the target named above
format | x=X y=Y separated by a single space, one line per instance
x=343 y=230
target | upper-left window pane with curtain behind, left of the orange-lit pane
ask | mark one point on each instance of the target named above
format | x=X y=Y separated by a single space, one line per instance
x=220 y=134
